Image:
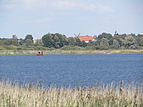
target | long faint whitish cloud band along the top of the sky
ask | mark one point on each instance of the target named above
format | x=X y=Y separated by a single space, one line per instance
x=58 y=4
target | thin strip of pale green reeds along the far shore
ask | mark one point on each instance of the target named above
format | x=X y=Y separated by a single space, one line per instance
x=59 y=51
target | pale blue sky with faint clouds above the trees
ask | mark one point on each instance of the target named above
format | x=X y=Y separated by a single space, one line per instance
x=69 y=17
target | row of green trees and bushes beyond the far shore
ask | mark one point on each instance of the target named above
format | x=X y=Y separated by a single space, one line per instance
x=102 y=41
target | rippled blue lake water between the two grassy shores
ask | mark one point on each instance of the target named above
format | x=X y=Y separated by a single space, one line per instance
x=72 y=70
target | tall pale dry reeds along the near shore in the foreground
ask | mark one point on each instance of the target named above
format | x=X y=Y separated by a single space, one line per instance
x=34 y=95
